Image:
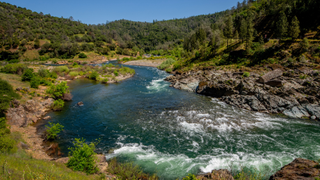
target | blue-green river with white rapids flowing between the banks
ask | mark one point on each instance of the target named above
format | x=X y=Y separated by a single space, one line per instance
x=172 y=132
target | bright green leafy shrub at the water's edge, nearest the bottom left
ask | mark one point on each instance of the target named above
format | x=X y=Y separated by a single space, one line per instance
x=82 y=157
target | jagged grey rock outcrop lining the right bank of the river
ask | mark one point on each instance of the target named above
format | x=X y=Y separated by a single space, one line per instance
x=274 y=89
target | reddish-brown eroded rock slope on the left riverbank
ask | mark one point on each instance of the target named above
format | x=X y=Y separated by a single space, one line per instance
x=28 y=113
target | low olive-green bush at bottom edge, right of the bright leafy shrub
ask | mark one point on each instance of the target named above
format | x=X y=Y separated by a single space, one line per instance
x=127 y=171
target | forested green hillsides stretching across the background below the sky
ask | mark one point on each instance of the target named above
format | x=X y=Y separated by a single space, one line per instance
x=27 y=35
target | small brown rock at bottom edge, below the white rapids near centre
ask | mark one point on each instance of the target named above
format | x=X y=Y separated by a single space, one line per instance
x=221 y=174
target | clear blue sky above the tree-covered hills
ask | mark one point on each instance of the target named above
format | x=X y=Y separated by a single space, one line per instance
x=99 y=11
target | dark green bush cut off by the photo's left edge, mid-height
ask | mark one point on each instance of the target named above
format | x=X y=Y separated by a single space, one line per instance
x=7 y=94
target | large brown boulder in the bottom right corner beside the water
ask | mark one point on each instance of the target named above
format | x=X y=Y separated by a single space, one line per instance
x=299 y=169
